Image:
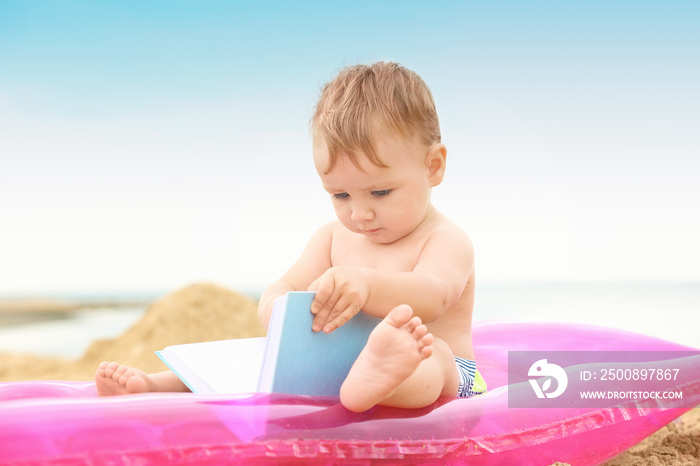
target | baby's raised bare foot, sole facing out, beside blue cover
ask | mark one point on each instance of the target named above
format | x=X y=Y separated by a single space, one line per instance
x=393 y=352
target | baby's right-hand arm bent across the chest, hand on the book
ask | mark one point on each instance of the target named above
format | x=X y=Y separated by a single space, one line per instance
x=437 y=281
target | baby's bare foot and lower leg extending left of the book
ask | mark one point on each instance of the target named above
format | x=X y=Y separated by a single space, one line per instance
x=112 y=378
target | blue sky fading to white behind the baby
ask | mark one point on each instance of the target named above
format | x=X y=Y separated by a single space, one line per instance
x=149 y=145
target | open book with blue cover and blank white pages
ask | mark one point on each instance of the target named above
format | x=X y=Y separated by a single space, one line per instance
x=291 y=359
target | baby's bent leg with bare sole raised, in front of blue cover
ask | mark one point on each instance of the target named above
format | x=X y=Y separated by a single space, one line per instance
x=400 y=366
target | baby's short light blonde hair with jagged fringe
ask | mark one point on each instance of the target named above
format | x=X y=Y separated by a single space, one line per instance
x=365 y=100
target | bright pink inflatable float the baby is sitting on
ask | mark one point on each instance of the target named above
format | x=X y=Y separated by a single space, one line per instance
x=66 y=423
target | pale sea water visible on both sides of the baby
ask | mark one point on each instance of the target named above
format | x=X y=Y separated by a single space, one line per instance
x=670 y=311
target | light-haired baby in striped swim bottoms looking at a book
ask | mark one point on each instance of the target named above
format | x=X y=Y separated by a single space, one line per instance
x=390 y=253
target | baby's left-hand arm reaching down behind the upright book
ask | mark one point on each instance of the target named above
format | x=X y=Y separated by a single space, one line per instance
x=314 y=260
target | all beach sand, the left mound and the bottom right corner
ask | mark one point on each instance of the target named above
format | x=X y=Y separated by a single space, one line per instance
x=207 y=312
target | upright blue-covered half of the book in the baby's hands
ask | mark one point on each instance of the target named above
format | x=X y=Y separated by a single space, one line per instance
x=300 y=361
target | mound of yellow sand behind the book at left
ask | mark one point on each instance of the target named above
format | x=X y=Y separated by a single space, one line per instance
x=201 y=312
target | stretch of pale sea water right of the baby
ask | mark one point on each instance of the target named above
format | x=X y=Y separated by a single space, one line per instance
x=670 y=311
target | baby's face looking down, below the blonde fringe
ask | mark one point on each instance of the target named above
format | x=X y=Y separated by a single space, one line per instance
x=383 y=203
